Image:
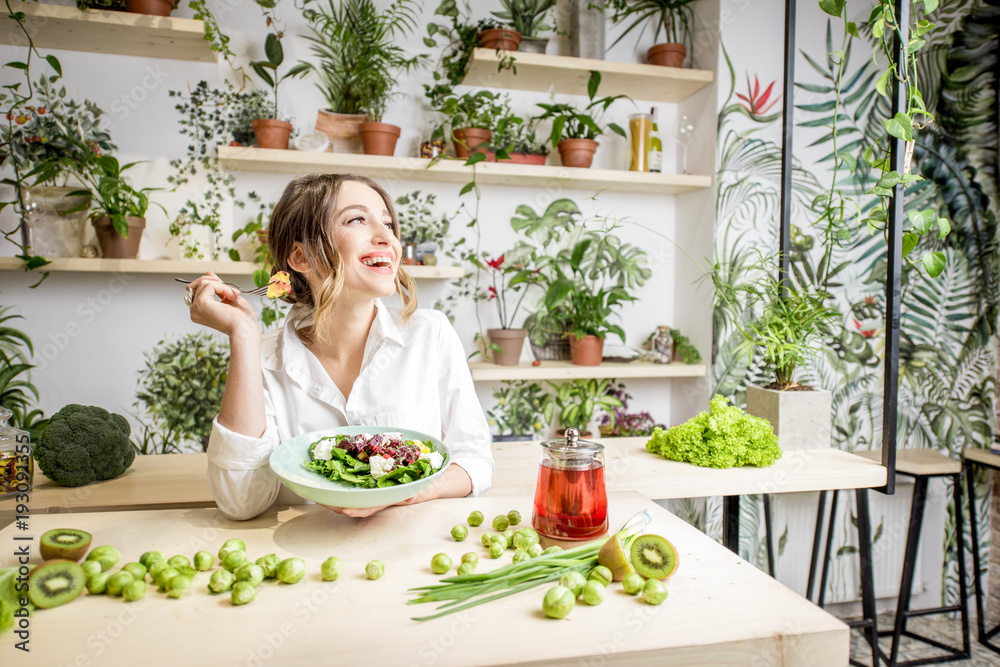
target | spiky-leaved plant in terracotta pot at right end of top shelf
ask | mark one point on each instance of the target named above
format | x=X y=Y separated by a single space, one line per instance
x=673 y=17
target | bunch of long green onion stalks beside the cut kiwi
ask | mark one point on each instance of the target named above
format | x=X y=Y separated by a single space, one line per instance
x=470 y=590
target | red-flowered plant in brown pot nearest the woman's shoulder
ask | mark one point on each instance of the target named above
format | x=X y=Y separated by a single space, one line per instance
x=510 y=275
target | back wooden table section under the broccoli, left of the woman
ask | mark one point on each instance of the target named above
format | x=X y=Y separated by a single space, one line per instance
x=152 y=482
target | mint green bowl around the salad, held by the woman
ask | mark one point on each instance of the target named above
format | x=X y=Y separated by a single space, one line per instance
x=289 y=459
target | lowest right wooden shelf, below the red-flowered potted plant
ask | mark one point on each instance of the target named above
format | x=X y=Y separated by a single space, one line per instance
x=485 y=371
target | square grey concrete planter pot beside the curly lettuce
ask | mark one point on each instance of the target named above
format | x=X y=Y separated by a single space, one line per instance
x=801 y=419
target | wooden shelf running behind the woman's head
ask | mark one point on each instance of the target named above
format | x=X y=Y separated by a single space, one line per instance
x=184 y=267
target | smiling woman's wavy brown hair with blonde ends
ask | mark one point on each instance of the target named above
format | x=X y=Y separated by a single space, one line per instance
x=304 y=214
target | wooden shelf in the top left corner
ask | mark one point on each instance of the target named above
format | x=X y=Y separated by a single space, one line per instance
x=122 y=33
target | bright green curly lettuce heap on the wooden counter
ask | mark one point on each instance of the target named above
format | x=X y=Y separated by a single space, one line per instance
x=722 y=437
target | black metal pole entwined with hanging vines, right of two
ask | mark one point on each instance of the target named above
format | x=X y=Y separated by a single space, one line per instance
x=894 y=271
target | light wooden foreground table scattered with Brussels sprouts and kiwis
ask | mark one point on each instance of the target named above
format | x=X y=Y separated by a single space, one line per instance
x=721 y=611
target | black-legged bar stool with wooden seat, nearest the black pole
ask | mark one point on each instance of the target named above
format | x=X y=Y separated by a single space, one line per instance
x=921 y=465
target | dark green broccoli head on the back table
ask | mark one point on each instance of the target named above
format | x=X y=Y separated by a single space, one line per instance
x=84 y=444
